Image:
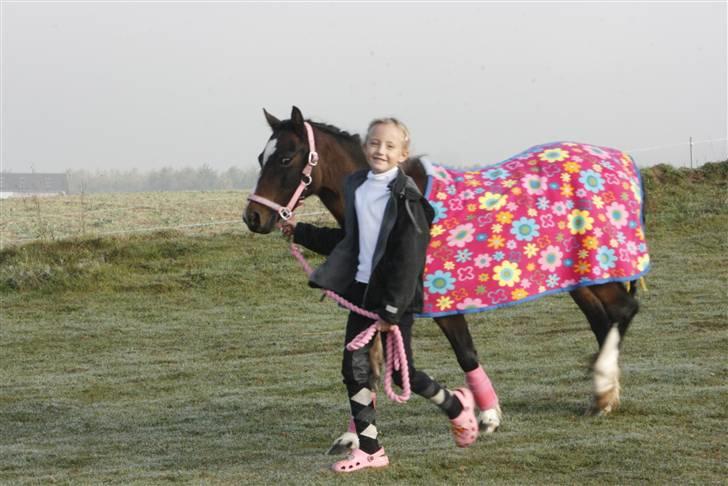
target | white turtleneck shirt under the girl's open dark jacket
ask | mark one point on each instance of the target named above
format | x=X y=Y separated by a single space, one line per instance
x=370 y=199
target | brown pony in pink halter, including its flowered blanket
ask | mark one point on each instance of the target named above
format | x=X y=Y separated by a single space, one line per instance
x=591 y=197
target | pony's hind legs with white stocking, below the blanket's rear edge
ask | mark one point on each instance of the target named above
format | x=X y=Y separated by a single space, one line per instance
x=609 y=309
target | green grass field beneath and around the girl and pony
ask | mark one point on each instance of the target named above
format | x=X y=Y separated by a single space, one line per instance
x=204 y=358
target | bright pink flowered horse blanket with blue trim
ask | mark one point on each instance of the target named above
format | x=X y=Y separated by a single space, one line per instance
x=555 y=217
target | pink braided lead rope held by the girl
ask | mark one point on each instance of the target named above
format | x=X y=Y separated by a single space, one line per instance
x=396 y=356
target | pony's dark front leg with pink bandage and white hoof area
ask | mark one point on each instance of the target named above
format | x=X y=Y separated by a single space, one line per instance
x=456 y=330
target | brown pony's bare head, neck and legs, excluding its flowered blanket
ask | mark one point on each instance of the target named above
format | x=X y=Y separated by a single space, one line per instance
x=608 y=307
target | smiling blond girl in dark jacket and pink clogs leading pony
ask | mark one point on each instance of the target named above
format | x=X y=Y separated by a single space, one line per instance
x=376 y=261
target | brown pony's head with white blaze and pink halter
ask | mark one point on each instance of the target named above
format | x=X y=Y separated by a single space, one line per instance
x=282 y=163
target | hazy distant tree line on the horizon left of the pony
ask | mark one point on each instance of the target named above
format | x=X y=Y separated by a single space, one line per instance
x=165 y=179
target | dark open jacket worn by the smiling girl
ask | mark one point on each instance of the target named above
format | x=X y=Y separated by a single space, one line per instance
x=395 y=285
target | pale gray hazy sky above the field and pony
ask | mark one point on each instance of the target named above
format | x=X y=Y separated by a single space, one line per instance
x=145 y=85
